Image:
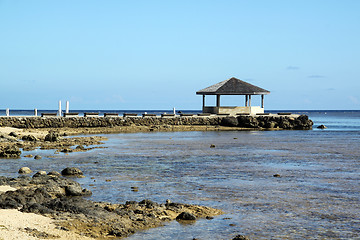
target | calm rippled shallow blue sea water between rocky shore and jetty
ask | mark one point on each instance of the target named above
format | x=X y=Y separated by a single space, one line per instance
x=316 y=197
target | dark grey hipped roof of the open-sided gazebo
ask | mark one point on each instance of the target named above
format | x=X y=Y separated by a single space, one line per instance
x=233 y=86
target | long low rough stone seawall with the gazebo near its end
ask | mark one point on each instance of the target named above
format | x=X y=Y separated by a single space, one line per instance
x=270 y=121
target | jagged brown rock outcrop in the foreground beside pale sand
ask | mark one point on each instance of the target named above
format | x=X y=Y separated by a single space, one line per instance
x=63 y=199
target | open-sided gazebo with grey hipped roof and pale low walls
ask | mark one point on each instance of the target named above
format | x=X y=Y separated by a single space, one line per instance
x=233 y=86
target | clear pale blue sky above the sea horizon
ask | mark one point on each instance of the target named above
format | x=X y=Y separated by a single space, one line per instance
x=146 y=54
